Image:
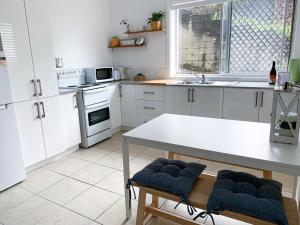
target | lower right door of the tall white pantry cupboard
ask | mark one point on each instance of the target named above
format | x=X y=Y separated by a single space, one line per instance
x=52 y=125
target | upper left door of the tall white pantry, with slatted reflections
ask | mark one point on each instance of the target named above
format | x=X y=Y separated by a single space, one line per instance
x=14 y=34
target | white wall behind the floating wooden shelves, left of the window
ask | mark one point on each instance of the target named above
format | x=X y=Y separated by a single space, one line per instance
x=150 y=60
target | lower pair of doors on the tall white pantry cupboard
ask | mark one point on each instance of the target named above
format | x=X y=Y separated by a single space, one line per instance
x=40 y=128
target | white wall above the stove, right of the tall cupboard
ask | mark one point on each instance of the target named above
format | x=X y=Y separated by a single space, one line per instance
x=81 y=31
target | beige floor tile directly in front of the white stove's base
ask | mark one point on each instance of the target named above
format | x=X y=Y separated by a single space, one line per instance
x=89 y=154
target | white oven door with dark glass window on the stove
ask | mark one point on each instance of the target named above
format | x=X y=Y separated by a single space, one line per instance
x=97 y=118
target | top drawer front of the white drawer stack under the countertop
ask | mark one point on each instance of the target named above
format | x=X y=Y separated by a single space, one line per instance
x=150 y=92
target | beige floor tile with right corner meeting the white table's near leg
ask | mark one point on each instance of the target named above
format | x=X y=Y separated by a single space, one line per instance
x=93 y=202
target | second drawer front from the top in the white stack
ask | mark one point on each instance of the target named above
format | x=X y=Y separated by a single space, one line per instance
x=151 y=108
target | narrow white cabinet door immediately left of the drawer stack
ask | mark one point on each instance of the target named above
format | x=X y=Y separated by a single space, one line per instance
x=128 y=106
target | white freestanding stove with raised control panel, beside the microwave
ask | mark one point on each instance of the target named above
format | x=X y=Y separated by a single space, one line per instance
x=93 y=106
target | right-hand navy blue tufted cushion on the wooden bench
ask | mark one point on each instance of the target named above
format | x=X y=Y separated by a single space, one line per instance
x=246 y=194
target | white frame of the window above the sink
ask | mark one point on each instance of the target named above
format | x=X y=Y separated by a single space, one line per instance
x=224 y=67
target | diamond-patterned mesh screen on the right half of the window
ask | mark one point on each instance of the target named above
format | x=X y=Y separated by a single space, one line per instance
x=260 y=34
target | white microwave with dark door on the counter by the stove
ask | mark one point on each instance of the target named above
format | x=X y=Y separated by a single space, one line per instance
x=98 y=75
